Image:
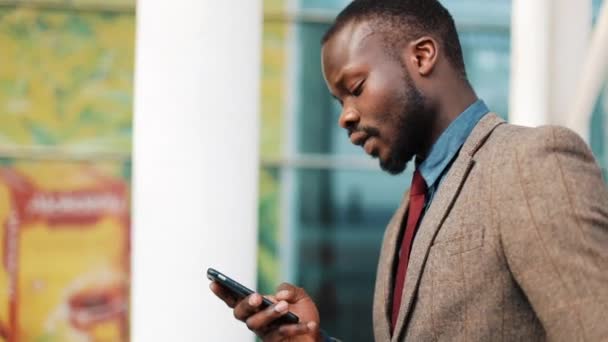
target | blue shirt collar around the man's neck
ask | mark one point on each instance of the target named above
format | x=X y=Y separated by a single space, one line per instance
x=450 y=141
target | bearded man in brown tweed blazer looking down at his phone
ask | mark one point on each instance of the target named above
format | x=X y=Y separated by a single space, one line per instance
x=504 y=233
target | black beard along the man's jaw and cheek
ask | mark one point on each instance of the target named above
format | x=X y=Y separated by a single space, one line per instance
x=413 y=125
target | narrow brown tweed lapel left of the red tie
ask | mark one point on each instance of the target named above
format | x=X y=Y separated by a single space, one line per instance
x=384 y=281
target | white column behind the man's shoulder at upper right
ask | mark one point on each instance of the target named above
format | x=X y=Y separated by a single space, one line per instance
x=547 y=39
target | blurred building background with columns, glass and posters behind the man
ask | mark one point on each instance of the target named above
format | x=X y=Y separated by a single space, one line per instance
x=238 y=161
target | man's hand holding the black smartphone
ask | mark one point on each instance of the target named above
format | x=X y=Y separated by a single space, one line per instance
x=260 y=321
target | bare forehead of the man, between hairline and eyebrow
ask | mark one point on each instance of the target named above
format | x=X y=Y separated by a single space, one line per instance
x=354 y=42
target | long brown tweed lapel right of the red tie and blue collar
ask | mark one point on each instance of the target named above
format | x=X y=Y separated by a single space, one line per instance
x=437 y=213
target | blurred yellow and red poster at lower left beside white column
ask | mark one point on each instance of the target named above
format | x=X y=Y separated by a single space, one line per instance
x=65 y=251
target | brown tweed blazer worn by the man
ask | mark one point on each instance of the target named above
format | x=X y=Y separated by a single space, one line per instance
x=514 y=246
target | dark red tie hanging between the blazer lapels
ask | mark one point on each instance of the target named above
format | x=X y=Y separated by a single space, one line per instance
x=417 y=198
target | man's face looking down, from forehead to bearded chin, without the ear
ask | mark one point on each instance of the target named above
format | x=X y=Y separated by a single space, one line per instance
x=382 y=110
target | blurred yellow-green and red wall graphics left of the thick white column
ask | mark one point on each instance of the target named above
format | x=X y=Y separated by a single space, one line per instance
x=66 y=99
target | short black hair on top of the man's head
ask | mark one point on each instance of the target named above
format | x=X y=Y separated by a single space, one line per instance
x=403 y=21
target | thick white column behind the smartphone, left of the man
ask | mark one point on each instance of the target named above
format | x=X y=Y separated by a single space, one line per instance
x=195 y=164
